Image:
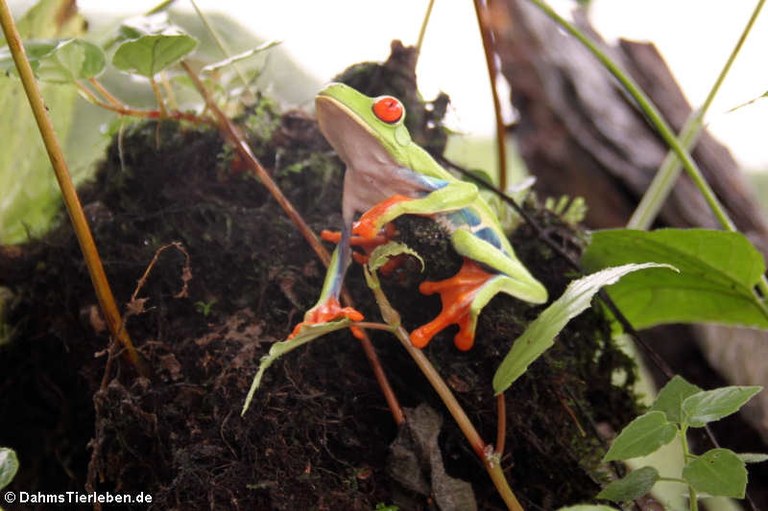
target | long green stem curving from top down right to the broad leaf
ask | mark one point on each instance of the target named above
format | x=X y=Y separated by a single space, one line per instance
x=657 y=121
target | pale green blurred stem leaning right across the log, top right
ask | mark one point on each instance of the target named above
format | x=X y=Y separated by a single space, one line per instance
x=666 y=177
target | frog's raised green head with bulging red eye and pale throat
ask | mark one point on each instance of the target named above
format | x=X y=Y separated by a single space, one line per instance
x=364 y=131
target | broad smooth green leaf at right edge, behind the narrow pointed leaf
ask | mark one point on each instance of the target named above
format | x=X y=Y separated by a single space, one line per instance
x=718 y=271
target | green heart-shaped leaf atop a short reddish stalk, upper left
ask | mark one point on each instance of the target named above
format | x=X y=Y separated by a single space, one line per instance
x=150 y=54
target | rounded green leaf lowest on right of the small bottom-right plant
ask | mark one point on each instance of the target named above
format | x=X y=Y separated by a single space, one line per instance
x=719 y=472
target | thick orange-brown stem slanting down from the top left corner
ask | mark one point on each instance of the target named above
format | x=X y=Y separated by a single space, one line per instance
x=69 y=194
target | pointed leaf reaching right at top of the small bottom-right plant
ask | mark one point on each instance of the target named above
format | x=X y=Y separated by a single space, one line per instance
x=711 y=405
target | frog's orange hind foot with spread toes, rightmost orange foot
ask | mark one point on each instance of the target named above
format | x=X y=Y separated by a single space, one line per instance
x=456 y=295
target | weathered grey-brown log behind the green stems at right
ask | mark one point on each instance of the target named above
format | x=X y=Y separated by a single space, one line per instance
x=581 y=136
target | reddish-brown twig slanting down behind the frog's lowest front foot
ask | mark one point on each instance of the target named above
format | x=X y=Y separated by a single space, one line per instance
x=233 y=136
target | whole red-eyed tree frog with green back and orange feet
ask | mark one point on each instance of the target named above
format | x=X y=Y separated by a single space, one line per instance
x=387 y=176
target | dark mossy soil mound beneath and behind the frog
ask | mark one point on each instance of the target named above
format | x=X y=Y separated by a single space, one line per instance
x=317 y=435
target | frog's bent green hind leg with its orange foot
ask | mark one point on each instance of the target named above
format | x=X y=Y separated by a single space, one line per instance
x=465 y=294
